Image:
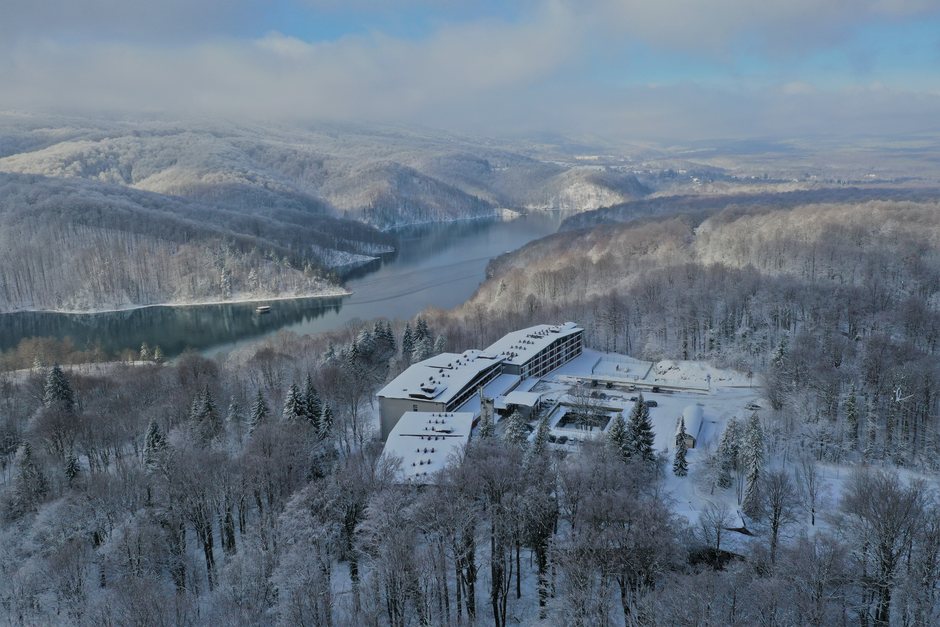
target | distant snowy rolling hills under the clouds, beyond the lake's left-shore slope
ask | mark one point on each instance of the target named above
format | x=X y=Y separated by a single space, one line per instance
x=382 y=177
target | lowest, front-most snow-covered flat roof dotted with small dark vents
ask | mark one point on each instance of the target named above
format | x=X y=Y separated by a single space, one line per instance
x=426 y=440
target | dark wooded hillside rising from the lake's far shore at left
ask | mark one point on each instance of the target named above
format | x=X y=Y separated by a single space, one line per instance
x=83 y=245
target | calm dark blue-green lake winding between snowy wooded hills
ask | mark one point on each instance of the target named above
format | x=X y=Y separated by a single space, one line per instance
x=438 y=264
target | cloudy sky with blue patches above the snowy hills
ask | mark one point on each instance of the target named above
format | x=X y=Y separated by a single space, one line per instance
x=670 y=70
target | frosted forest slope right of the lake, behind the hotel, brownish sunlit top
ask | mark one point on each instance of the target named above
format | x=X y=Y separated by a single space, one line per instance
x=822 y=303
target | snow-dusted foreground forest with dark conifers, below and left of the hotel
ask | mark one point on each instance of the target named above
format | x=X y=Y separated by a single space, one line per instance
x=251 y=492
